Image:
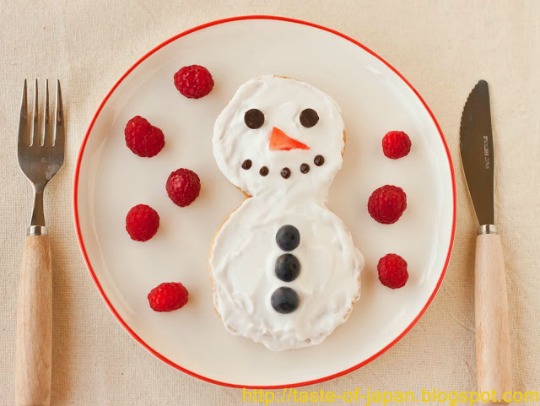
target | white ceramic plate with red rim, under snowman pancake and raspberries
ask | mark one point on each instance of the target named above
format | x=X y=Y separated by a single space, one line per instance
x=109 y=180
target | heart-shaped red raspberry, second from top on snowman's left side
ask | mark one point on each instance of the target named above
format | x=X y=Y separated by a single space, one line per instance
x=142 y=138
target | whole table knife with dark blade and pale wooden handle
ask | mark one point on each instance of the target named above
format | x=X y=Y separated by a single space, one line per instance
x=493 y=362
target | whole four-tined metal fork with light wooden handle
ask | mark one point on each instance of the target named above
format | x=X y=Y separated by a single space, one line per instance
x=40 y=156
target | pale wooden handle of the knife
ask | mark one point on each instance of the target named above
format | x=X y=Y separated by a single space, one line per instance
x=493 y=348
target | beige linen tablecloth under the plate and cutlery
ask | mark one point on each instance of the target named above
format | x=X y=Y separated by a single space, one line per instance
x=442 y=47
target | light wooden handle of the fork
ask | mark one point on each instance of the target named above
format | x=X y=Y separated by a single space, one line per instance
x=34 y=325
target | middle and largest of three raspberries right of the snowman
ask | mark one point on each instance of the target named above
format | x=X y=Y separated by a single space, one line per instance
x=387 y=203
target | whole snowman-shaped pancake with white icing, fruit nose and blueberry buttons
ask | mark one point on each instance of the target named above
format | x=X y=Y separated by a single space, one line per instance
x=285 y=269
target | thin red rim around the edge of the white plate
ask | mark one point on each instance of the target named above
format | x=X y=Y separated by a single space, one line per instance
x=94 y=276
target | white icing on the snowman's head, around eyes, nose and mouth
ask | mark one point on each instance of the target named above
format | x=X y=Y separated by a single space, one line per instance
x=281 y=100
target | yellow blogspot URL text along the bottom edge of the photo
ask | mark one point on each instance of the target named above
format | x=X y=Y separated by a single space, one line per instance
x=369 y=397
